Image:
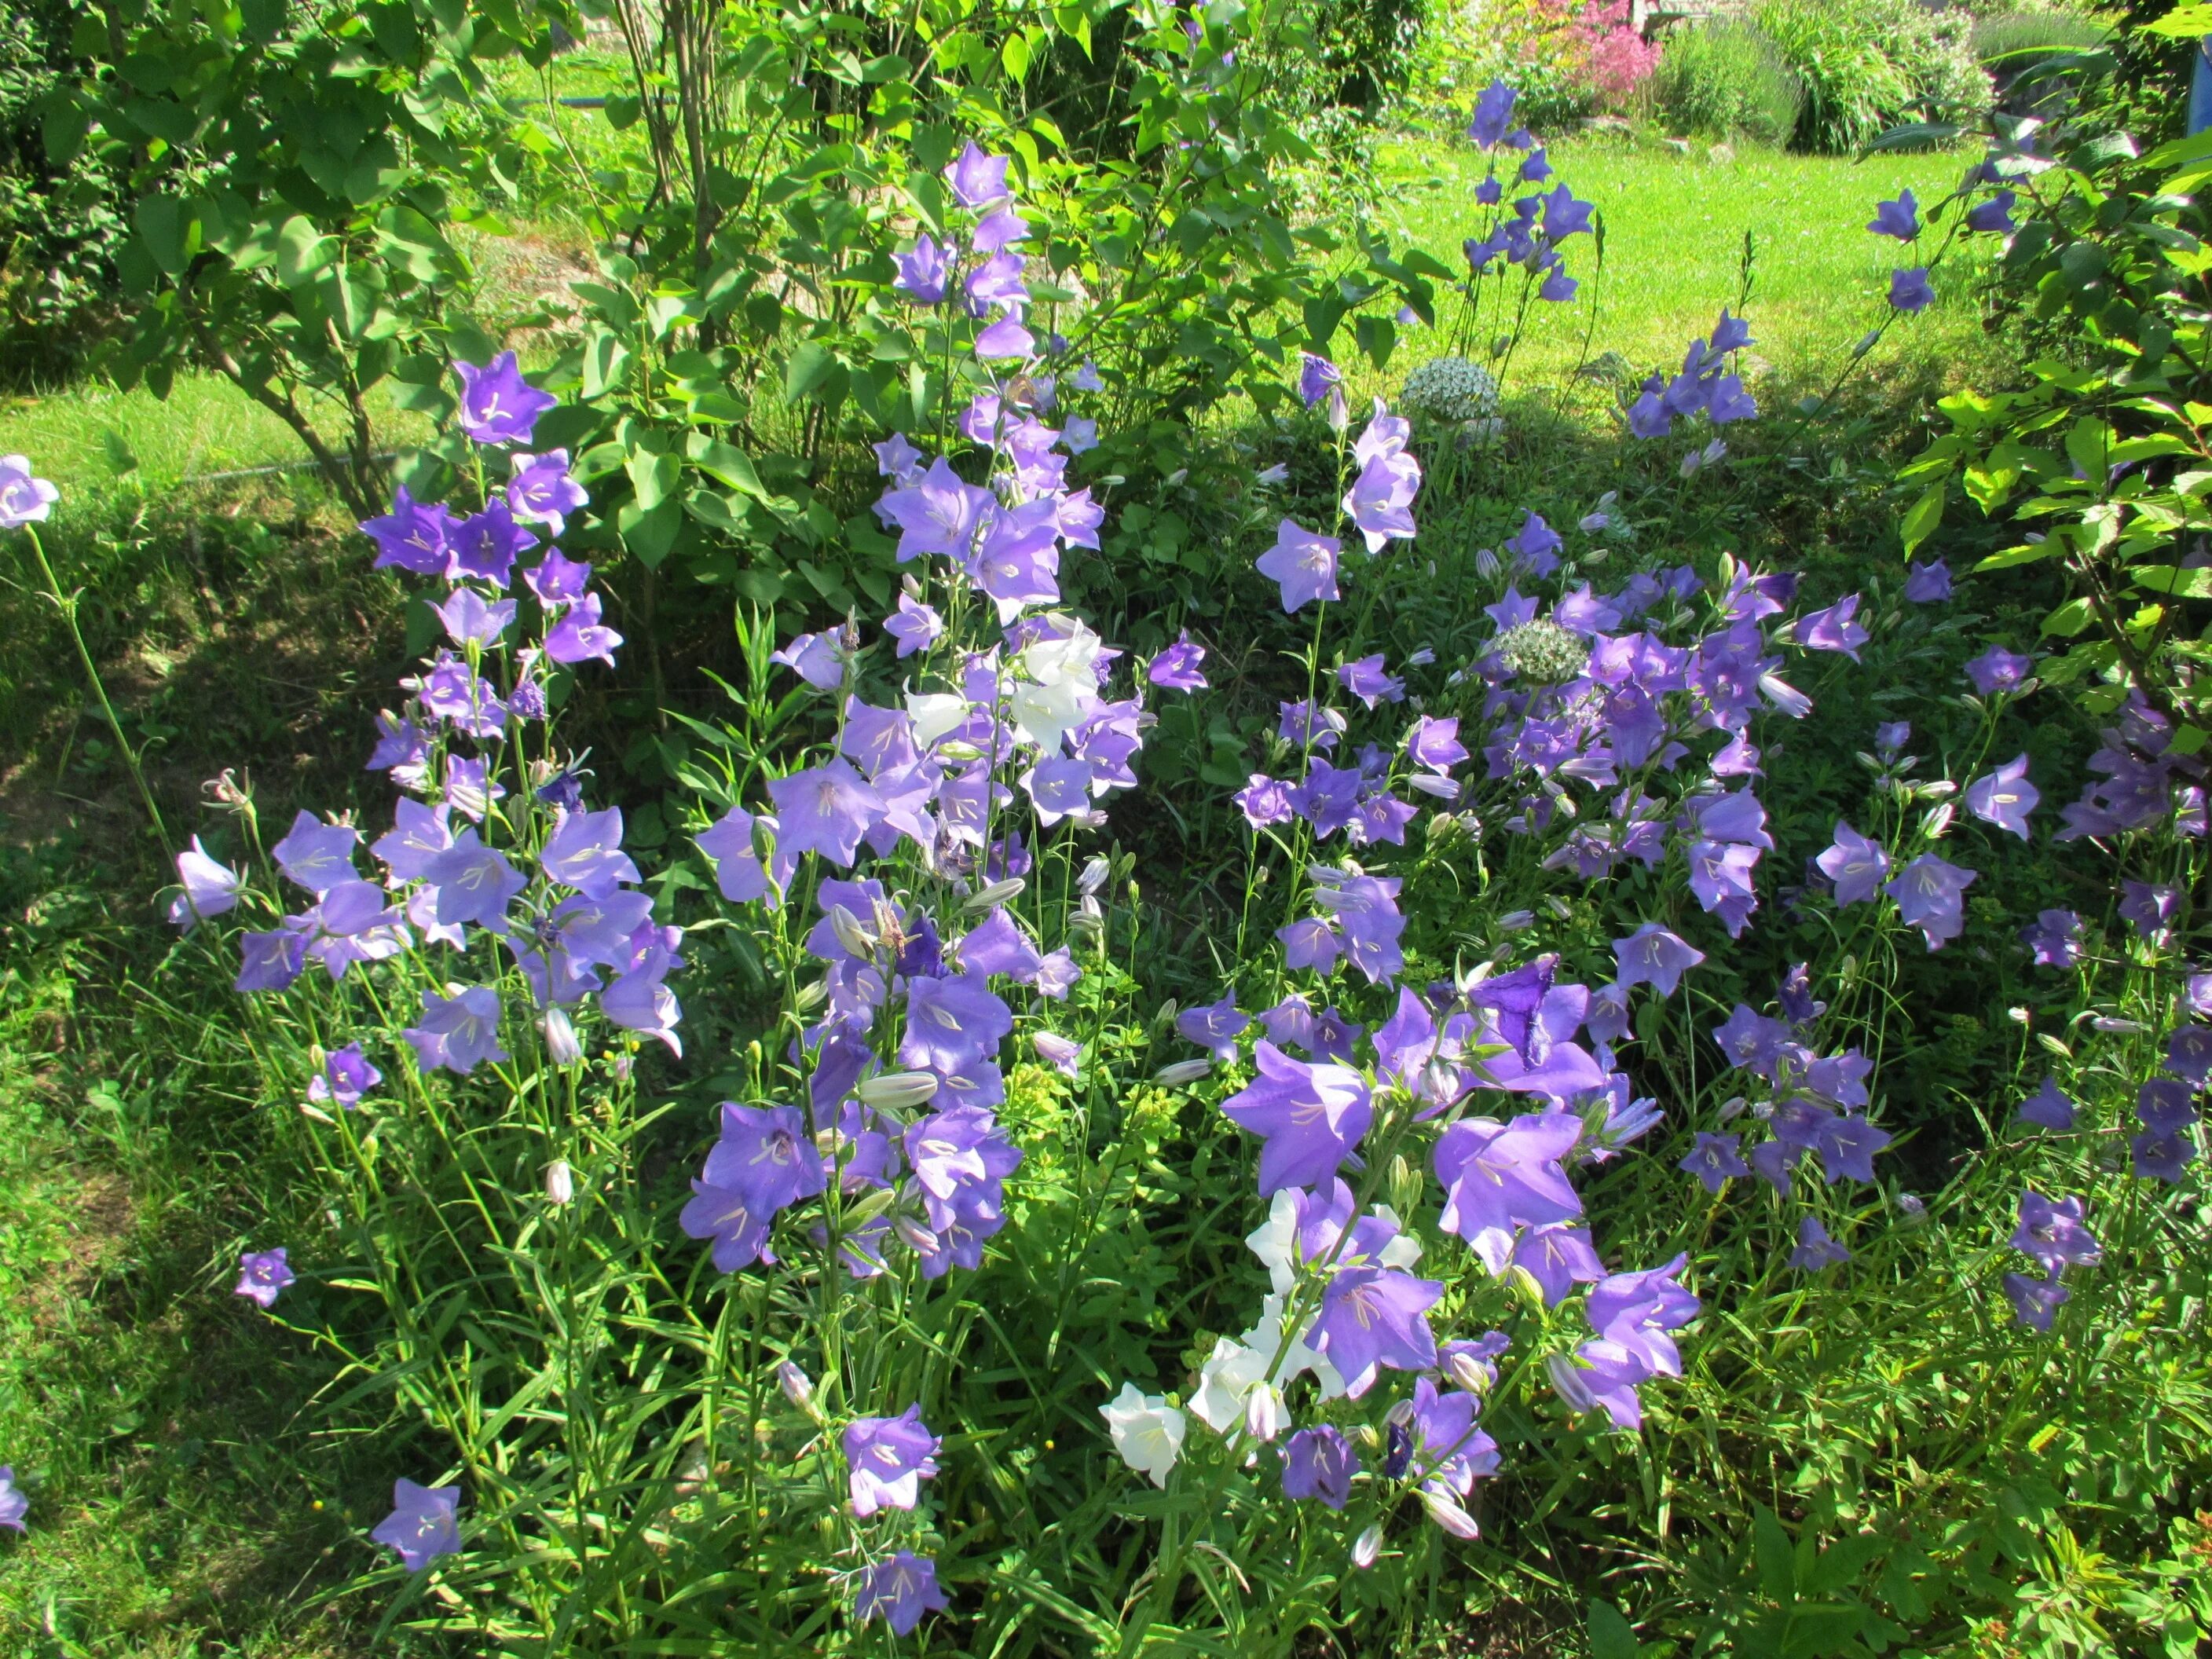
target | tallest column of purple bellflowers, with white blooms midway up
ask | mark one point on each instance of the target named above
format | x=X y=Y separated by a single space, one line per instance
x=977 y=744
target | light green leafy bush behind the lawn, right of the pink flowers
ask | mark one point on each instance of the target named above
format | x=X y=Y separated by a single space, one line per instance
x=1872 y=65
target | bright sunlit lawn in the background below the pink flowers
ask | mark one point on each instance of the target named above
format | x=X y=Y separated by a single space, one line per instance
x=1676 y=229
